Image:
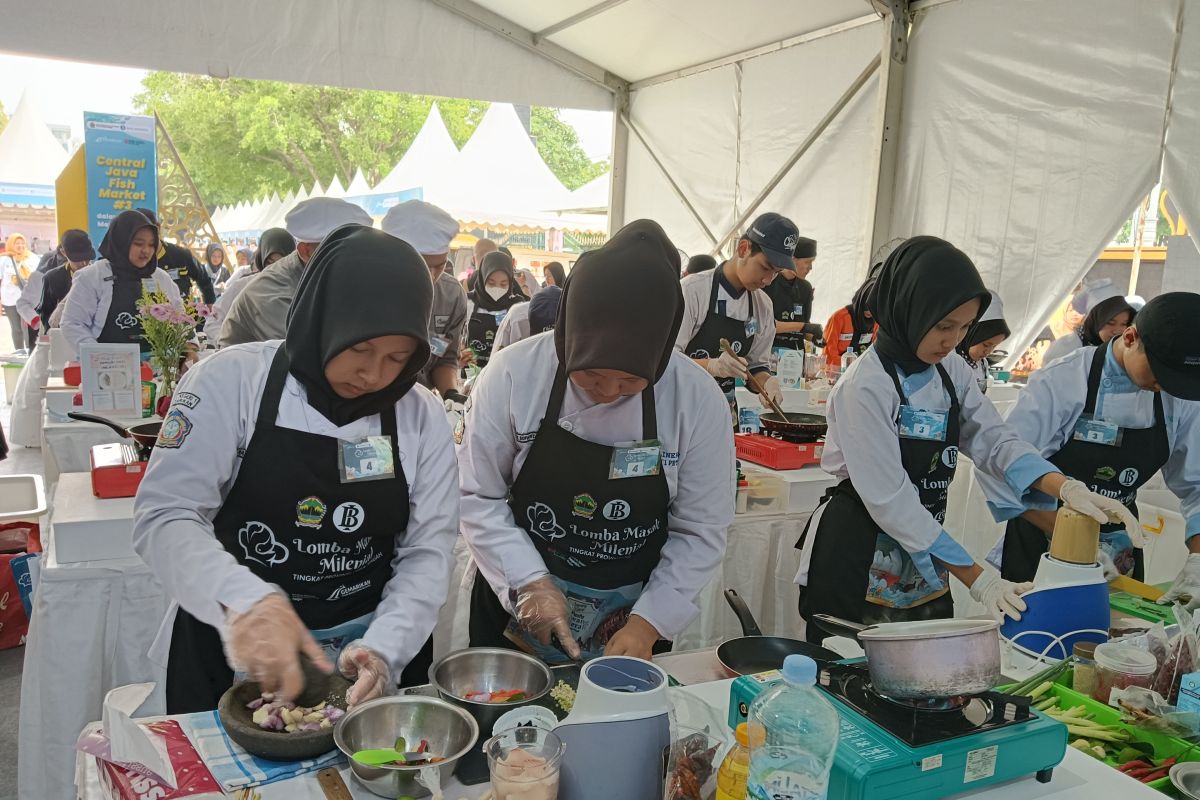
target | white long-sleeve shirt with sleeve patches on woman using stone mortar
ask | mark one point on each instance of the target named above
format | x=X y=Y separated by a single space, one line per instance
x=187 y=486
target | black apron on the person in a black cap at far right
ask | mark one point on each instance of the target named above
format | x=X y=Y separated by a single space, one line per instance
x=1113 y=471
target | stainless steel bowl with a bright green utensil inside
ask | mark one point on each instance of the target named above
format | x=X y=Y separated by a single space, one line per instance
x=451 y=732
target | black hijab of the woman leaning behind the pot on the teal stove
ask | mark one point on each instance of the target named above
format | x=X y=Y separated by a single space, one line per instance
x=923 y=281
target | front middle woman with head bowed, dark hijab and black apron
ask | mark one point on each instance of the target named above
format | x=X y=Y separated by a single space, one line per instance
x=596 y=468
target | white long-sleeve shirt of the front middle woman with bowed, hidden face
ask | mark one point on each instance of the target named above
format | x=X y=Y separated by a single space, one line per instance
x=507 y=407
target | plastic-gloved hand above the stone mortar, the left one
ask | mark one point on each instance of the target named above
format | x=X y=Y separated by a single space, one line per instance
x=267 y=643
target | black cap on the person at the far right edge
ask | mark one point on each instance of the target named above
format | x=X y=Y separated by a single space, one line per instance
x=1174 y=356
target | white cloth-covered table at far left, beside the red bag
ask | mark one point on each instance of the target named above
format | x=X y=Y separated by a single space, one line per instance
x=89 y=633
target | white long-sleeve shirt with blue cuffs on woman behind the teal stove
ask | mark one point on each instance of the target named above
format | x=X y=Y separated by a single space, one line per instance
x=863 y=446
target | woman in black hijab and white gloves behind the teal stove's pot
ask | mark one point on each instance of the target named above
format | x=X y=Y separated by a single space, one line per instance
x=877 y=550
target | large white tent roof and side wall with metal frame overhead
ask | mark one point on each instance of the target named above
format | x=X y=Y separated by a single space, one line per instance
x=1024 y=131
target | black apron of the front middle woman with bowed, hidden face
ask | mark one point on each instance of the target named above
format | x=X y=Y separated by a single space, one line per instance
x=591 y=531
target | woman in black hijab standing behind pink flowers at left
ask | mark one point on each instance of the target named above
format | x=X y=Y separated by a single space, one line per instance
x=103 y=305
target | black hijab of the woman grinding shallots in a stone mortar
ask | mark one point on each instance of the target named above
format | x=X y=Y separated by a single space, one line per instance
x=362 y=284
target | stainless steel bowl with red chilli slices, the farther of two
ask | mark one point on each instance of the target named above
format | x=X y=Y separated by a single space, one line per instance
x=490 y=670
